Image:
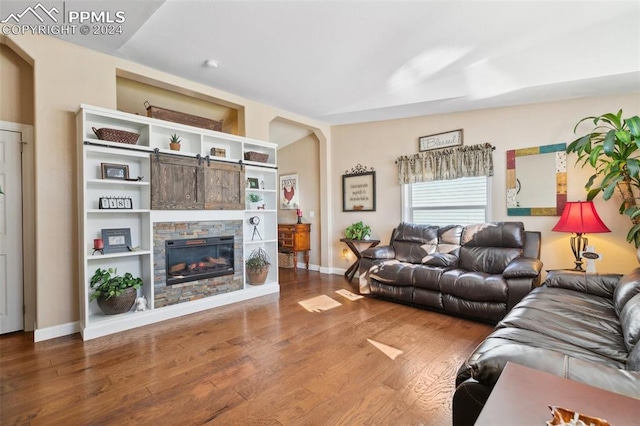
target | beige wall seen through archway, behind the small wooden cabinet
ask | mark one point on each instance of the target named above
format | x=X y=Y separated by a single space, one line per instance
x=303 y=158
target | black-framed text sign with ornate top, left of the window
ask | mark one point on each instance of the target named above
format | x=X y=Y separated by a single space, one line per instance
x=359 y=190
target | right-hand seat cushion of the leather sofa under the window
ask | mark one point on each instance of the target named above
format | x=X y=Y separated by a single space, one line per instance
x=476 y=286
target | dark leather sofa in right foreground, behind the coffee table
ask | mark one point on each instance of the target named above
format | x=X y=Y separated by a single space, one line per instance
x=584 y=327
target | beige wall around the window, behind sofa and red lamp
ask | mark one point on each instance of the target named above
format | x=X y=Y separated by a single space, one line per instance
x=378 y=144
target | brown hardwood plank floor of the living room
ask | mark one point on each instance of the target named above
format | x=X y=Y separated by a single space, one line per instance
x=263 y=362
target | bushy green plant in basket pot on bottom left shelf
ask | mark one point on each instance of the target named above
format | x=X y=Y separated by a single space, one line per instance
x=115 y=293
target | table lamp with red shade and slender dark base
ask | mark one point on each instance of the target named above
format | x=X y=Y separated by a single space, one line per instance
x=580 y=217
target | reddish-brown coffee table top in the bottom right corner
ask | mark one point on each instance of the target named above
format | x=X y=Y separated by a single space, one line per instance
x=522 y=397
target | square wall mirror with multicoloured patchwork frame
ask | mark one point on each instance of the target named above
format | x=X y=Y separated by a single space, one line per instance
x=537 y=180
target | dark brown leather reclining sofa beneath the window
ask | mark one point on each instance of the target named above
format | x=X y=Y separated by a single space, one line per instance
x=478 y=271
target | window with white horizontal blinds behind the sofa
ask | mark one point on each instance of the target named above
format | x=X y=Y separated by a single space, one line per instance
x=459 y=201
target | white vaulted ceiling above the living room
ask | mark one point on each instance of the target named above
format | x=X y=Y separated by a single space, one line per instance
x=357 y=61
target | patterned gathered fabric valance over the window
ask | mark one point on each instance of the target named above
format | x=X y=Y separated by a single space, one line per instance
x=443 y=164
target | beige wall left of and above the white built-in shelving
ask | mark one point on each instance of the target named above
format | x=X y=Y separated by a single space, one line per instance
x=66 y=75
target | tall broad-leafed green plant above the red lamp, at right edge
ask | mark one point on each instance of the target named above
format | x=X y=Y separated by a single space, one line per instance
x=612 y=148
